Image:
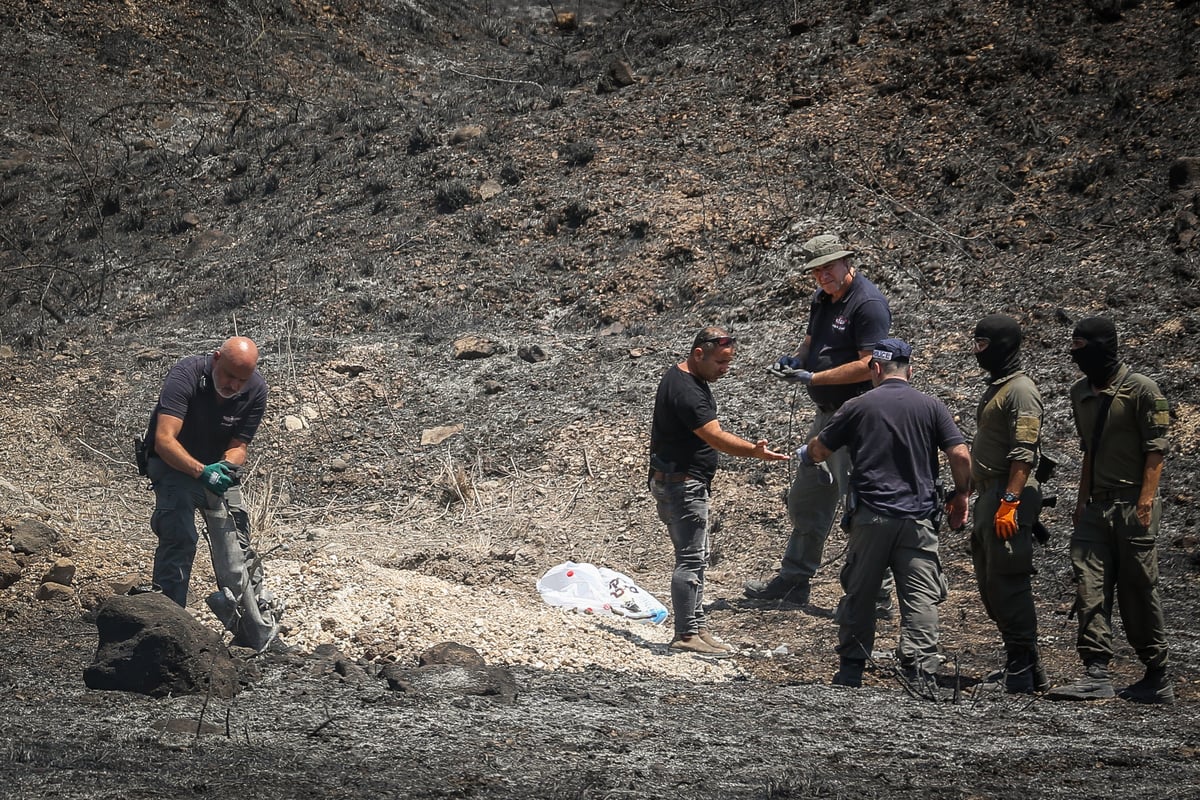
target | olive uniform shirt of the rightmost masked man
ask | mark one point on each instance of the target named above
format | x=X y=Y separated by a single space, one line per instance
x=1136 y=425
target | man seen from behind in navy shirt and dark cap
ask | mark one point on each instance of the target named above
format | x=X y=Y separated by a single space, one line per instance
x=893 y=435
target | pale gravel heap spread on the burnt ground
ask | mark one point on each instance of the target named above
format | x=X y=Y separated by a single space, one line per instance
x=380 y=613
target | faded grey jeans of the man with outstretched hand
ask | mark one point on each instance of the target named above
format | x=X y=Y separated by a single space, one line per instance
x=683 y=509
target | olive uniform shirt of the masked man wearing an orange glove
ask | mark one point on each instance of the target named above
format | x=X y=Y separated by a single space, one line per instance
x=1009 y=426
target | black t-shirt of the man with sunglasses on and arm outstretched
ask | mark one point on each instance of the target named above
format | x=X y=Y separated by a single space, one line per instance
x=682 y=405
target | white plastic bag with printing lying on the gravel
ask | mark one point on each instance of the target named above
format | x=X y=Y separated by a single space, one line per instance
x=599 y=591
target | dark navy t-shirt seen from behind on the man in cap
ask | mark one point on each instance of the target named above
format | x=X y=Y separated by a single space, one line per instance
x=893 y=434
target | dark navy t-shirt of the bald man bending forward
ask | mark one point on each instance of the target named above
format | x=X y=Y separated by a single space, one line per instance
x=209 y=425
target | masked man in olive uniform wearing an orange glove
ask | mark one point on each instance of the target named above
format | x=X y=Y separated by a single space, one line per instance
x=1009 y=425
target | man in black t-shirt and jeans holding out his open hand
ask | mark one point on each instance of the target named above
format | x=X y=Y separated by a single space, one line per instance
x=686 y=437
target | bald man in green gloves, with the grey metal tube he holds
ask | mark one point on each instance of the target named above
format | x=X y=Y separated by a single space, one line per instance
x=208 y=413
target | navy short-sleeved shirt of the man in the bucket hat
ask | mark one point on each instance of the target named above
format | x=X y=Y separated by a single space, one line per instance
x=841 y=332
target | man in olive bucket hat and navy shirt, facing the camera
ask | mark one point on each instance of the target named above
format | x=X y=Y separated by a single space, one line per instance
x=848 y=317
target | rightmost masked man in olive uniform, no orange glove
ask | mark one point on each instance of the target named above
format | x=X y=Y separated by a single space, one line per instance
x=1121 y=418
